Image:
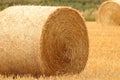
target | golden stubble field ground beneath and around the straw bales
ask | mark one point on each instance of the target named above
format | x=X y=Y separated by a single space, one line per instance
x=104 y=57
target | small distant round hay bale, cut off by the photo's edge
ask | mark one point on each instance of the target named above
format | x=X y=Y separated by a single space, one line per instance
x=109 y=13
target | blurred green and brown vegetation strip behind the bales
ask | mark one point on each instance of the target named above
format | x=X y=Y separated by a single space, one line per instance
x=87 y=8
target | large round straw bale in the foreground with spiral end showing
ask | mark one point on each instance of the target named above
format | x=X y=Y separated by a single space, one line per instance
x=42 y=40
